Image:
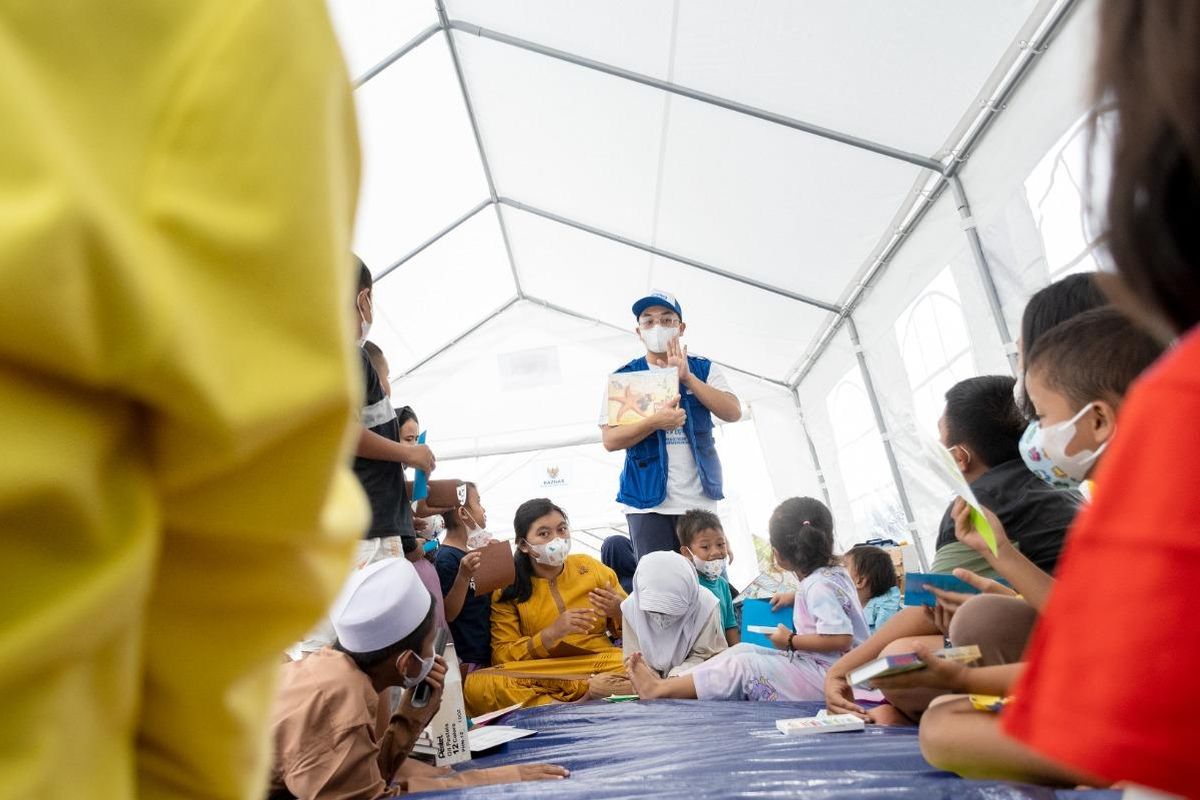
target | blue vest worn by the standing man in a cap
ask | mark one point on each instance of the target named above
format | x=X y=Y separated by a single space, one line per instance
x=644 y=482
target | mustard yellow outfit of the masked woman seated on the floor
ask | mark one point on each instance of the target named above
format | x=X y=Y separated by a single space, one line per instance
x=524 y=671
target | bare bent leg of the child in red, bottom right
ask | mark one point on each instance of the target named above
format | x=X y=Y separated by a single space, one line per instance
x=957 y=738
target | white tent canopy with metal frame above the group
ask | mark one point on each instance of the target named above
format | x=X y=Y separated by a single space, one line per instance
x=797 y=173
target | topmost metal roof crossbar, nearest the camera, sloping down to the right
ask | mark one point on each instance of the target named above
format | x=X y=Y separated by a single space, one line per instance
x=925 y=163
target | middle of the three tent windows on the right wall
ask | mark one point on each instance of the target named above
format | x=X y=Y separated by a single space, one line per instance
x=935 y=347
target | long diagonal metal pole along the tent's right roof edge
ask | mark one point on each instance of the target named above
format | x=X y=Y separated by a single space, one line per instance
x=1019 y=70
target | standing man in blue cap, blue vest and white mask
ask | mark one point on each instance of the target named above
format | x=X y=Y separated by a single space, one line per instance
x=671 y=464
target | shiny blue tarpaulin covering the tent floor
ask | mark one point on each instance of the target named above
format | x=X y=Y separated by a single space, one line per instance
x=692 y=750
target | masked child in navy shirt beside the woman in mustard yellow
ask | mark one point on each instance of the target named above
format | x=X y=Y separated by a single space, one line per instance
x=457 y=561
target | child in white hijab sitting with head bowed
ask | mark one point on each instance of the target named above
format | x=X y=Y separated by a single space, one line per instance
x=669 y=618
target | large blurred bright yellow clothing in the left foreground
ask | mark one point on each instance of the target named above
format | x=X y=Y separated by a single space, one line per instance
x=177 y=380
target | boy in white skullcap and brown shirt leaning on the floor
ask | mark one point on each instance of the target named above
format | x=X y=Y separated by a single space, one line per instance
x=328 y=742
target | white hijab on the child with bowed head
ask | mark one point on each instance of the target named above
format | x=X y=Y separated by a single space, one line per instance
x=667 y=584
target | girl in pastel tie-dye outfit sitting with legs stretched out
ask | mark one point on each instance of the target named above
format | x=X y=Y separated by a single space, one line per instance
x=827 y=617
